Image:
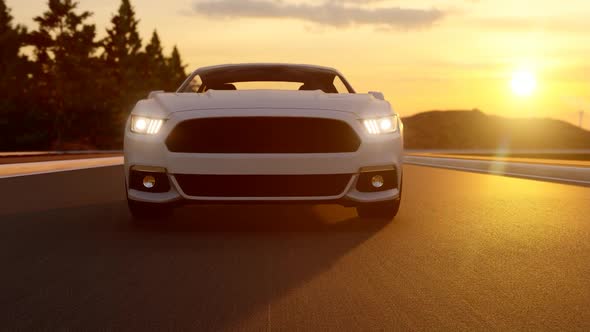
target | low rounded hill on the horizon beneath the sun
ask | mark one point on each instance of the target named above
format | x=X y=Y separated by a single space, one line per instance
x=476 y=130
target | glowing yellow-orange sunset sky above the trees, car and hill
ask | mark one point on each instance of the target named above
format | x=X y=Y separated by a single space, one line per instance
x=423 y=54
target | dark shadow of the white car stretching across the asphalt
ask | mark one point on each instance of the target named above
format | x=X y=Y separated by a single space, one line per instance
x=207 y=268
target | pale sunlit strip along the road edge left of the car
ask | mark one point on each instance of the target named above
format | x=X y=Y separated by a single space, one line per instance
x=44 y=167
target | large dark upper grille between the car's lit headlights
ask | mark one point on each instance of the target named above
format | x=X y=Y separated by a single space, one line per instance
x=263 y=135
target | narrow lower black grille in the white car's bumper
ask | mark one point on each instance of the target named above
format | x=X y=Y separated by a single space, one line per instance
x=263 y=185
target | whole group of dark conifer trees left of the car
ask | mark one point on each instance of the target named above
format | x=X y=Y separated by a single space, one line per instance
x=71 y=90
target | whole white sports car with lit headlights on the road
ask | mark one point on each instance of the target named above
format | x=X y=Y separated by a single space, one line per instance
x=261 y=133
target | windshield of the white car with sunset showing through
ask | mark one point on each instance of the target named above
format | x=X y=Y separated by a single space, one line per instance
x=267 y=77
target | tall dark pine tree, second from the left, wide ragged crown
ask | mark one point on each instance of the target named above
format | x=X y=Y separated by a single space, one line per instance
x=64 y=46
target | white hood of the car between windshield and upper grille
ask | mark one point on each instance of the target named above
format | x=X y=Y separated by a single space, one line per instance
x=362 y=105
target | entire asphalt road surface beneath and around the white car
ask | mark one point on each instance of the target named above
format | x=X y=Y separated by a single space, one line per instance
x=467 y=252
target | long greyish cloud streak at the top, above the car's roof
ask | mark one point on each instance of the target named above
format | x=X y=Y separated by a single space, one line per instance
x=334 y=13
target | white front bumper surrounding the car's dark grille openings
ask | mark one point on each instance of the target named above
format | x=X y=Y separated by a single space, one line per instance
x=376 y=153
